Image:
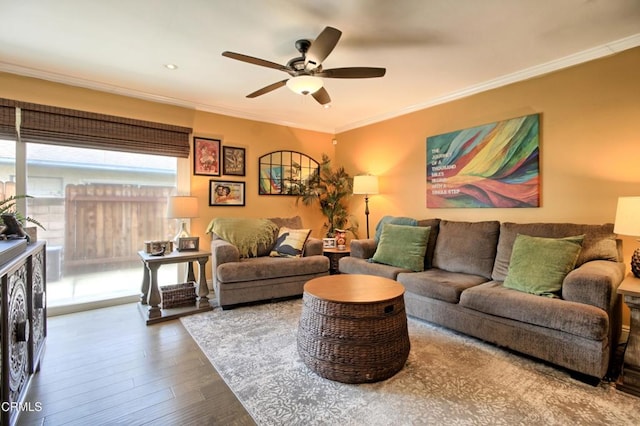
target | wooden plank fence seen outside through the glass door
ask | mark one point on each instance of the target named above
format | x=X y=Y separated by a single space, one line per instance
x=109 y=223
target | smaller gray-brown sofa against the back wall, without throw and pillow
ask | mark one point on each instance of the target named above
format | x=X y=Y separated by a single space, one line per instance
x=240 y=280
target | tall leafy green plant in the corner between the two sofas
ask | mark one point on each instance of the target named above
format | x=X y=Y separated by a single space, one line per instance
x=330 y=189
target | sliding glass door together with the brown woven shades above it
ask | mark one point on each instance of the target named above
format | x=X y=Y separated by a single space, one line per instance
x=100 y=186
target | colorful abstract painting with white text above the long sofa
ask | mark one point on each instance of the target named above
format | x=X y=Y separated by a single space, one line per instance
x=493 y=165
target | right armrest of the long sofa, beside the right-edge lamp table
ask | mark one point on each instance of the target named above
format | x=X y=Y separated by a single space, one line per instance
x=594 y=283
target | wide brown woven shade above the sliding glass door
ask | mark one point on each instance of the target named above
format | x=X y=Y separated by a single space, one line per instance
x=62 y=126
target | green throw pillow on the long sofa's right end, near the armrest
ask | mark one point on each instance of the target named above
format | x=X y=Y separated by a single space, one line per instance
x=539 y=265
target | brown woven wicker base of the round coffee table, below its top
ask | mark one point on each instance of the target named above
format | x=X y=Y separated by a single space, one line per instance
x=353 y=342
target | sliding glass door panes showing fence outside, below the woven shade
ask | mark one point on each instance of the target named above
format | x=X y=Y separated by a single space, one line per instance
x=96 y=207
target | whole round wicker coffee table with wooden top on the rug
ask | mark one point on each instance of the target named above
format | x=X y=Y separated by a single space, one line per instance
x=353 y=328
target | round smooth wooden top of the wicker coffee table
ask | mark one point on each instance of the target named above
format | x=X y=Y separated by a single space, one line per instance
x=353 y=288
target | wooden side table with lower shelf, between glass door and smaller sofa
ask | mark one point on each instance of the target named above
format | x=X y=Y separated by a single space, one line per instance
x=150 y=293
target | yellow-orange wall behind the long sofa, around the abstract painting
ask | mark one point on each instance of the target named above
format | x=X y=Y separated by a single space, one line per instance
x=589 y=145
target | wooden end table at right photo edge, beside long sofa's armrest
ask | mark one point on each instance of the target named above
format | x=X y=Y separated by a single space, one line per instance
x=630 y=380
